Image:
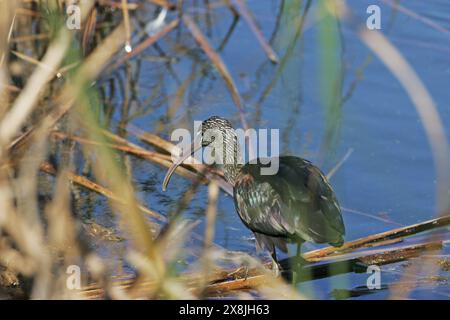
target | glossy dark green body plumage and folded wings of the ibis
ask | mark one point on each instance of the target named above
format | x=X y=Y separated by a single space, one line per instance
x=297 y=204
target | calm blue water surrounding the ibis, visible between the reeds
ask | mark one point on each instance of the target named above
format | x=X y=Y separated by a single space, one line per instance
x=389 y=174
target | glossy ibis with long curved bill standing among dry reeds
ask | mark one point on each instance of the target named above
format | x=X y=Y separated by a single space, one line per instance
x=294 y=205
